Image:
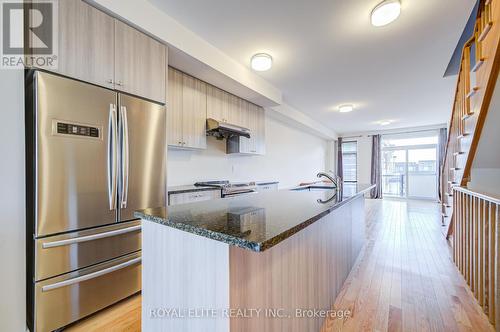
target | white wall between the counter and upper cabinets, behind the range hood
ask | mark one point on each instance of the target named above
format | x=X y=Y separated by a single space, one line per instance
x=292 y=156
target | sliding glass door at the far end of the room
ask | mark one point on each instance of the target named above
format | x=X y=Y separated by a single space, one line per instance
x=409 y=166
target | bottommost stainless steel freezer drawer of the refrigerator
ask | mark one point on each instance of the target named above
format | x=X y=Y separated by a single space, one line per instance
x=62 y=300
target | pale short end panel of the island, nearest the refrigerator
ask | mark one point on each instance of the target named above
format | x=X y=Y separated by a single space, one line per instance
x=182 y=271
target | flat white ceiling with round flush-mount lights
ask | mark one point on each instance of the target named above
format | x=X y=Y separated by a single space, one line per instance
x=326 y=53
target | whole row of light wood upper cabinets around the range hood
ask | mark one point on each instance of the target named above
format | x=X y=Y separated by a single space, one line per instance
x=192 y=101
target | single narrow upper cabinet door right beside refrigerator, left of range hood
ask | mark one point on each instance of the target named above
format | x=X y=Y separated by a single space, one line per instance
x=174 y=108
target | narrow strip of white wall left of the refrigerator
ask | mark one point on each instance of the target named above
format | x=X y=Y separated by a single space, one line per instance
x=12 y=193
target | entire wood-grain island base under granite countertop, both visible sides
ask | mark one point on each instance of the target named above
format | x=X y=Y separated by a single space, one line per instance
x=185 y=271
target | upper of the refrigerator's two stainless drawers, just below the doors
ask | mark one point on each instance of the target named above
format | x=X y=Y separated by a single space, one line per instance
x=60 y=254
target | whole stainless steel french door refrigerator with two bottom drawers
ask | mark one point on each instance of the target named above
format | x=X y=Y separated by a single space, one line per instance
x=93 y=157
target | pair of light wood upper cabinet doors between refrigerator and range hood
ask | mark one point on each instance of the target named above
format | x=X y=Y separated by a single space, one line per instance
x=186 y=111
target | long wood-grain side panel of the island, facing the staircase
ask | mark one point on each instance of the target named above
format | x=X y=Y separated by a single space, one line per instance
x=304 y=273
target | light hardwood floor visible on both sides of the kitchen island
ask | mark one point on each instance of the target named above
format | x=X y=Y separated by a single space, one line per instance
x=405 y=280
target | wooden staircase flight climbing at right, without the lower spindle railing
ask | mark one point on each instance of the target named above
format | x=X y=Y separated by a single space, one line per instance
x=477 y=77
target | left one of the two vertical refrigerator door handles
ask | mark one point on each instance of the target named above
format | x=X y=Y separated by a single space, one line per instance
x=112 y=157
